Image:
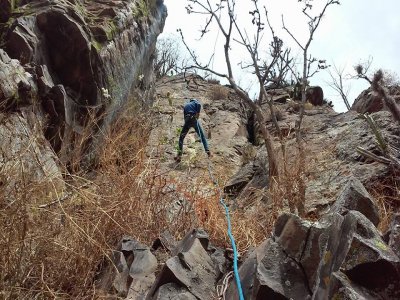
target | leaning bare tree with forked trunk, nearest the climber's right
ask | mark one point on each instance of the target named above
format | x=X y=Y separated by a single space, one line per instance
x=263 y=69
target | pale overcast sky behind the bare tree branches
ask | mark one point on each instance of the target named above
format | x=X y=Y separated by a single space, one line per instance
x=349 y=33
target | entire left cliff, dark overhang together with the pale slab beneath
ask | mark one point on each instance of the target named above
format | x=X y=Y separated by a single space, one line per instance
x=66 y=65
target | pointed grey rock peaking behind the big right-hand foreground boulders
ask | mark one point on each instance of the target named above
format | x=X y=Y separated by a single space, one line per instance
x=355 y=197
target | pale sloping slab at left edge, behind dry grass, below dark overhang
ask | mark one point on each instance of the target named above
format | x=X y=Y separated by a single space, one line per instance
x=27 y=163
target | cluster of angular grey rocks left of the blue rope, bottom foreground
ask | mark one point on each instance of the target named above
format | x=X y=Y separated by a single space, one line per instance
x=191 y=272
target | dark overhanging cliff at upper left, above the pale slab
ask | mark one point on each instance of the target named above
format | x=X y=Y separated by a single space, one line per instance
x=83 y=59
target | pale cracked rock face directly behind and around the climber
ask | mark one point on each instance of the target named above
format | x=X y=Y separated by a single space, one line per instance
x=225 y=122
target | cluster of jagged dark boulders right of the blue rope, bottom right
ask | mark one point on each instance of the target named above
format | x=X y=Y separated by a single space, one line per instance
x=337 y=256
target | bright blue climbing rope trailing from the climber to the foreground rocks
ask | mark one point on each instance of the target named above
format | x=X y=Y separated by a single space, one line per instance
x=228 y=220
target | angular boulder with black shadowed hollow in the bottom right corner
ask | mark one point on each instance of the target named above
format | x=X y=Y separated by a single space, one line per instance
x=356 y=248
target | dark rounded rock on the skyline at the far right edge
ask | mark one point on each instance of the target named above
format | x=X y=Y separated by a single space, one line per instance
x=369 y=101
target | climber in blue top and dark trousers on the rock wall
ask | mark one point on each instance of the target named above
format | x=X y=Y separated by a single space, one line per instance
x=191 y=113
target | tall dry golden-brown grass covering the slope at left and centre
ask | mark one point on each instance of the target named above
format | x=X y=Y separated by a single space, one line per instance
x=55 y=250
